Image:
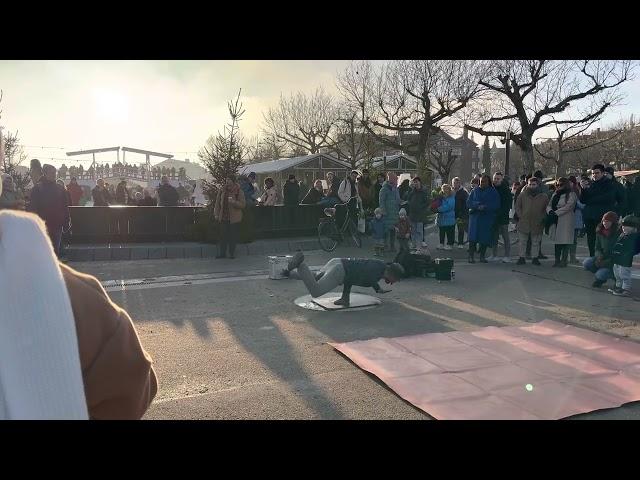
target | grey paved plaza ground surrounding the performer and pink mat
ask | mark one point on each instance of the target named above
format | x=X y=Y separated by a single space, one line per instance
x=228 y=343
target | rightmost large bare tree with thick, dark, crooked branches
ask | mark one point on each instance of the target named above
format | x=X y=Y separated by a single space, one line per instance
x=528 y=95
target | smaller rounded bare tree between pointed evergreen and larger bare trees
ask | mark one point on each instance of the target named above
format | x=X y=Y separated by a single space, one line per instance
x=302 y=121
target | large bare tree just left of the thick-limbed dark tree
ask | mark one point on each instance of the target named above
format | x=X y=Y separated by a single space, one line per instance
x=420 y=97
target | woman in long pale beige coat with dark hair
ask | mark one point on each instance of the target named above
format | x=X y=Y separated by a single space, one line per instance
x=562 y=209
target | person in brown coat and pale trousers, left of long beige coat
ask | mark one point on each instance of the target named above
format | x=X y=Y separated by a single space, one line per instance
x=531 y=211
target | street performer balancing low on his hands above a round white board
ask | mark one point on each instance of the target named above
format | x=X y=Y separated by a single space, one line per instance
x=344 y=271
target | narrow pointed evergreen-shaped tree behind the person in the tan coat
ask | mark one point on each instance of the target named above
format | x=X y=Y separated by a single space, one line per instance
x=225 y=153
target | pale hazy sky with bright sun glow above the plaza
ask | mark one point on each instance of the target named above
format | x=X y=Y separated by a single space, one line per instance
x=165 y=106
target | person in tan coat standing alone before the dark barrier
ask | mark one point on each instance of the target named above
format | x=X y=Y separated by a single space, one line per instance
x=228 y=212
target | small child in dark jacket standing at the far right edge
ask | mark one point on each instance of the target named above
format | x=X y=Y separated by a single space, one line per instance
x=626 y=247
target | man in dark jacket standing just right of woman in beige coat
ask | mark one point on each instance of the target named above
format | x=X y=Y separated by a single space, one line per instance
x=598 y=197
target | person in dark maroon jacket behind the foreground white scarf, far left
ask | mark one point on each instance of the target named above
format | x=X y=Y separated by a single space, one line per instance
x=49 y=201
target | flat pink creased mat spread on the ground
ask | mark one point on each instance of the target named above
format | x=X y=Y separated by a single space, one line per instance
x=546 y=370
